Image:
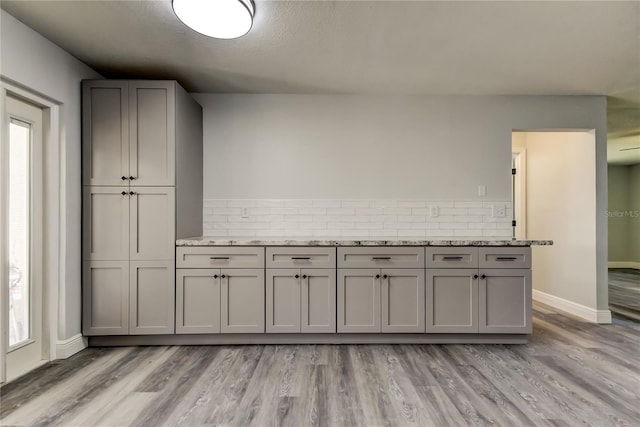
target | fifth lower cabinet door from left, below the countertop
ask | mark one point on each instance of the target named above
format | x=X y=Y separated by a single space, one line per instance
x=358 y=300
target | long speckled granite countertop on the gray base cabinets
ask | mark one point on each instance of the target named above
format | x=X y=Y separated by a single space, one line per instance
x=346 y=241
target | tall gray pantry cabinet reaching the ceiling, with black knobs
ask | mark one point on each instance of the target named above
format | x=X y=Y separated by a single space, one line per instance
x=142 y=189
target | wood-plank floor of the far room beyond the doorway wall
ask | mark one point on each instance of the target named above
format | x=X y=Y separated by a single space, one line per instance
x=624 y=292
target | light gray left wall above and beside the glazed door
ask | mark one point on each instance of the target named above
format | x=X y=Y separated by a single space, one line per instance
x=29 y=60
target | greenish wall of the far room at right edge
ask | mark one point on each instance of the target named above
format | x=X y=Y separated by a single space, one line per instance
x=619 y=202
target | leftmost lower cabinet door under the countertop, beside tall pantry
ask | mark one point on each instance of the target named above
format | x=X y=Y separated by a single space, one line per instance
x=197 y=301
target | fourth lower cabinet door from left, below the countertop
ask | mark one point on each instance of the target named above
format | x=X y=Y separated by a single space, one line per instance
x=318 y=300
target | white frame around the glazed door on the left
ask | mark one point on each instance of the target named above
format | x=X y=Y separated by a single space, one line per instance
x=54 y=224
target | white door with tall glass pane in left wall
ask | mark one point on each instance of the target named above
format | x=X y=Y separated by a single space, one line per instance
x=22 y=229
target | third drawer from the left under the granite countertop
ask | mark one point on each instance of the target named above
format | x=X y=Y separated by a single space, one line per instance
x=381 y=257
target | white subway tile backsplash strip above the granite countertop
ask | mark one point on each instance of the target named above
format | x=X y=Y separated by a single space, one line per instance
x=383 y=218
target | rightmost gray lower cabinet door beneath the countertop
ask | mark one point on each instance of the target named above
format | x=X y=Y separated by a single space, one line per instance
x=505 y=301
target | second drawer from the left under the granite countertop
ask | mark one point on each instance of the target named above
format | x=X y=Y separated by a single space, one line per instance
x=297 y=257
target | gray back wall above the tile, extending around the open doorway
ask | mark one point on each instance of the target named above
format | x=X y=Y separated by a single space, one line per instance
x=426 y=147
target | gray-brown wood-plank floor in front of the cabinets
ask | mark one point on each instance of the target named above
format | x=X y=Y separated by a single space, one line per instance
x=572 y=373
